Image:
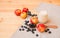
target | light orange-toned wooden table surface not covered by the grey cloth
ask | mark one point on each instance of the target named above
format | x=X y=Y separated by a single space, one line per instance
x=9 y=22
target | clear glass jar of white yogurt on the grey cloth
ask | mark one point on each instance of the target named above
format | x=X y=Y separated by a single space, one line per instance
x=43 y=16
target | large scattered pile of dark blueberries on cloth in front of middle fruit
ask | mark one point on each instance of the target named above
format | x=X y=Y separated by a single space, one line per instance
x=29 y=28
